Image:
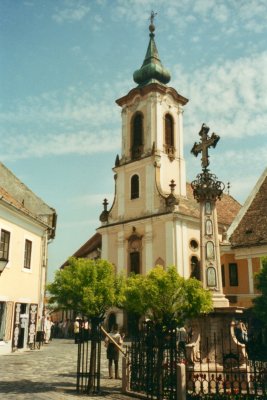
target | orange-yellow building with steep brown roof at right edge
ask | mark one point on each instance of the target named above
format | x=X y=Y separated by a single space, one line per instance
x=241 y=257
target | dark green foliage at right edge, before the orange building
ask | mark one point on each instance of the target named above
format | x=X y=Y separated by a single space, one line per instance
x=260 y=302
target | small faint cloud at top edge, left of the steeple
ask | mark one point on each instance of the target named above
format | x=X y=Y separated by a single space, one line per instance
x=71 y=11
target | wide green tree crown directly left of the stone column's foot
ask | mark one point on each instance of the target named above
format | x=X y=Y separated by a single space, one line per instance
x=165 y=297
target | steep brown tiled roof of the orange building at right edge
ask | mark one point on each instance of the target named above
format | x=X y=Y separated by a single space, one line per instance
x=250 y=226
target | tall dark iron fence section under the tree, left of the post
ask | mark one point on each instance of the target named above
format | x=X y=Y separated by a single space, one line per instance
x=154 y=355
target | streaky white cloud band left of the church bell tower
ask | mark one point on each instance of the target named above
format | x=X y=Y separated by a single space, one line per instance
x=78 y=120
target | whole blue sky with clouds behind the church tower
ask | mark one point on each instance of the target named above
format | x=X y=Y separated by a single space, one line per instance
x=65 y=62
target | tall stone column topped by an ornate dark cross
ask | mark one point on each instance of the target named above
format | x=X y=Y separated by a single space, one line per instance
x=207 y=189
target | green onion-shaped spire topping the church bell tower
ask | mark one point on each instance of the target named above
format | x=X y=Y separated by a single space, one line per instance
x=152 y=70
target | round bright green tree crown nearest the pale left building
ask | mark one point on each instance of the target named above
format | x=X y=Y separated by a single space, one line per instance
x=86 y=286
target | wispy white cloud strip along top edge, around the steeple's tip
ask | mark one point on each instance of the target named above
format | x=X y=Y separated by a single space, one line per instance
x=251 y=15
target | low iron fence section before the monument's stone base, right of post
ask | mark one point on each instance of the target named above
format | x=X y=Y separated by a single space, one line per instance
x=228 y=372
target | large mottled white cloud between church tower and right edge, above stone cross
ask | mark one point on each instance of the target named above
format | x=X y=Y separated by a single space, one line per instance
x=230 y=96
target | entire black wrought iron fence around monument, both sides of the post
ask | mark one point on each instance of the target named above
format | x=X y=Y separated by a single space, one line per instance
x=219 y=371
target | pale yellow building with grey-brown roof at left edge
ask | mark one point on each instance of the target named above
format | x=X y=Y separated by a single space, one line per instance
x=27 y=225
